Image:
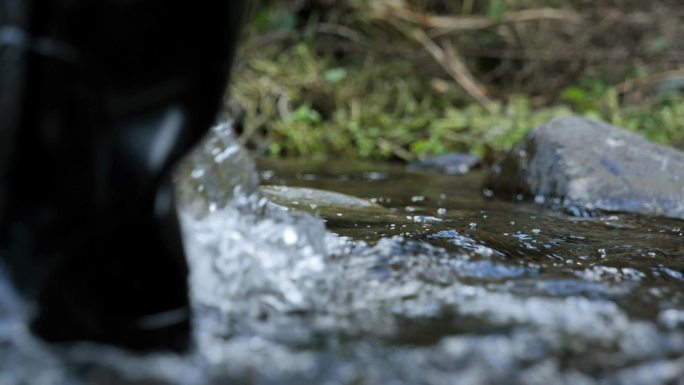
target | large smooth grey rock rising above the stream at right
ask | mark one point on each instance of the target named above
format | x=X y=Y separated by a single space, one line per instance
x=592 y=165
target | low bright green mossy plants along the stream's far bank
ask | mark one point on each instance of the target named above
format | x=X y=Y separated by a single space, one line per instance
x=304 y=99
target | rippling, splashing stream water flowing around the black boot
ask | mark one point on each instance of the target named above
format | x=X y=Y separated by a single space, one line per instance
x=443 y=286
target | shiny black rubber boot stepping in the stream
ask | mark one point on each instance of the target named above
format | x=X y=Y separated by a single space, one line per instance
x=99 y=100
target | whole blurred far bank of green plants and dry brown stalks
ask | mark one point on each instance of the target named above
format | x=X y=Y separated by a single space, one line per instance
x=405 y=79
